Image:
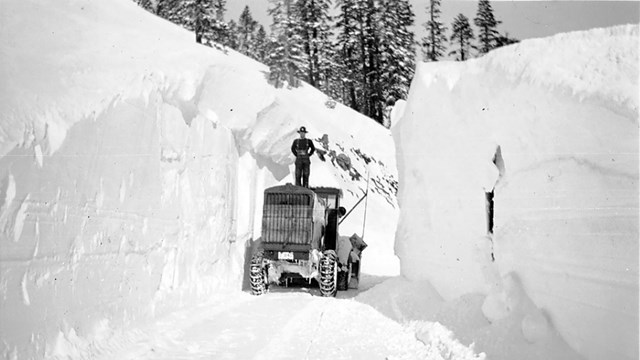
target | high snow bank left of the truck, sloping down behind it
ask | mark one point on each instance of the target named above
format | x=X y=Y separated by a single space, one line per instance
x=132 y=165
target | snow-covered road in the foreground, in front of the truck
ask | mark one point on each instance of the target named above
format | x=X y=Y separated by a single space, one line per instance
x=282 y=324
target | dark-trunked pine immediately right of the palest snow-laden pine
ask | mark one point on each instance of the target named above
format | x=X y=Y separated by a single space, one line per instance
x=314 y=29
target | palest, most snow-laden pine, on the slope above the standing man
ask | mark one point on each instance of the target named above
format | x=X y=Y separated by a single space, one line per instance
x=286 y=54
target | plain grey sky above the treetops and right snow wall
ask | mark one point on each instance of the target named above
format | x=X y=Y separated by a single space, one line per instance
x=521 y=19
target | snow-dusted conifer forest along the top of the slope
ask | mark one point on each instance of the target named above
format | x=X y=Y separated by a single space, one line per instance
x=361 y=53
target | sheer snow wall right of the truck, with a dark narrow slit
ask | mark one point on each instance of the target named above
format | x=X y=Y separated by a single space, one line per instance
x=550 y=126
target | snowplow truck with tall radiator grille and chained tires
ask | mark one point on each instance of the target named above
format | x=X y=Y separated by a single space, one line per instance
x=300 y=240
